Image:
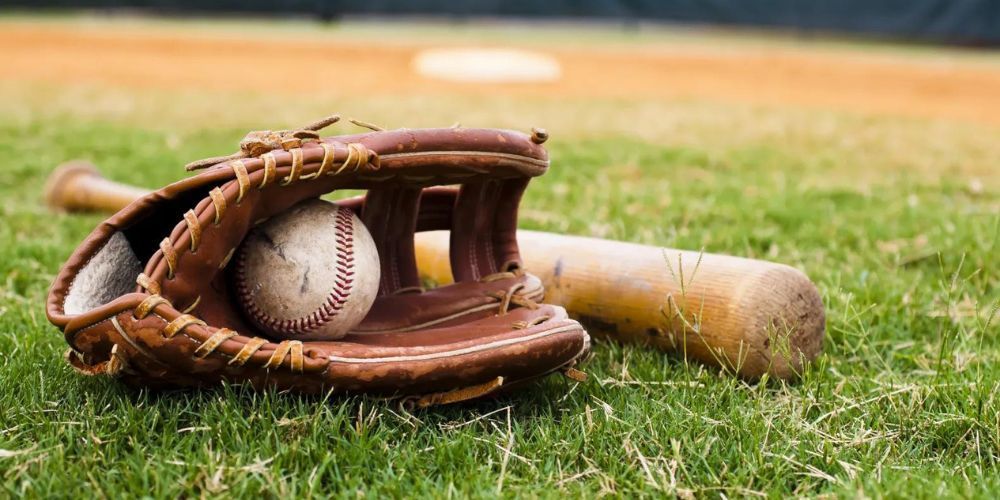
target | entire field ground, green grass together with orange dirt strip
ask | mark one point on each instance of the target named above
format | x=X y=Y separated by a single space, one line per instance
x=875 y=168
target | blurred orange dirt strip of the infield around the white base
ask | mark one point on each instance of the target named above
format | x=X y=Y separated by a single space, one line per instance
x=852 y=80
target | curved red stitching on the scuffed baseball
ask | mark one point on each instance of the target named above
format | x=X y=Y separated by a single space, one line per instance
x=344 y=230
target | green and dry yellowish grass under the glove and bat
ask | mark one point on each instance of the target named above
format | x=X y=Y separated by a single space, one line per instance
x=896 y=219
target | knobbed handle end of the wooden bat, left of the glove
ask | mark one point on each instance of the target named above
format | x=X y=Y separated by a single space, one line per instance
x=77 y=186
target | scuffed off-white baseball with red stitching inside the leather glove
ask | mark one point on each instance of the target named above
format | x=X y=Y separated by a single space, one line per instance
x=309 y=273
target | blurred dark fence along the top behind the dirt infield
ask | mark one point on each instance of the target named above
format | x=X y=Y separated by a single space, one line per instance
x=949 y=21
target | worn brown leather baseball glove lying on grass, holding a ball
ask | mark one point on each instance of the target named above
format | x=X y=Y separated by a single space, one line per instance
x=148 y=296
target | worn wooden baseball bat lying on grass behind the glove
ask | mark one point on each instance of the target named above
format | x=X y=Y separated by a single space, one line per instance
x=749 y=316
